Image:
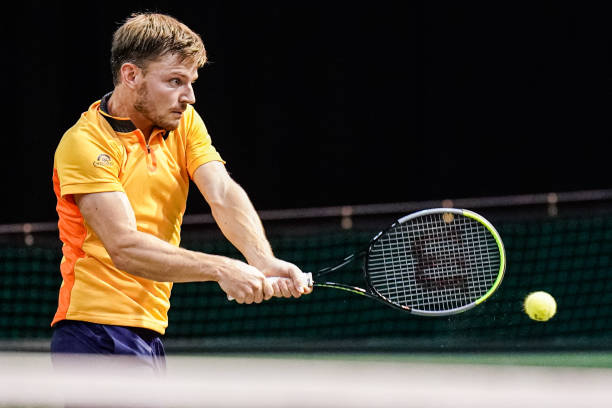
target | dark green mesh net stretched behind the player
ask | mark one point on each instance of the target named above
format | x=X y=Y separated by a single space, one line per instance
x=559 y=243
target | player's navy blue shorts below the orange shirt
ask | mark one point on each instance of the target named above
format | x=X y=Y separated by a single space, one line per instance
x=76 y=337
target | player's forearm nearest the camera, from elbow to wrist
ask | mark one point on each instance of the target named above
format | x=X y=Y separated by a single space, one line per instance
x=147 y=256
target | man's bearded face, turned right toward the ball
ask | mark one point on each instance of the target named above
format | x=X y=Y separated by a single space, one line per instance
x=166 y=90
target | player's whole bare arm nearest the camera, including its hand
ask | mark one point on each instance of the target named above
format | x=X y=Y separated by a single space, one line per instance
x=111 y=217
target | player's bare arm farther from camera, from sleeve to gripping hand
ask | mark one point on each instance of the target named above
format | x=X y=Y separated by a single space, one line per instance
x=236 y=217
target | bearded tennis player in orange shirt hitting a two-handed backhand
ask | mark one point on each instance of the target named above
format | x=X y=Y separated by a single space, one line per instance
x=121 y=176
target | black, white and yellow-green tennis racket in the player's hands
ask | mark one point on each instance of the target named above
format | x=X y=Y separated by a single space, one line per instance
x=434 y=262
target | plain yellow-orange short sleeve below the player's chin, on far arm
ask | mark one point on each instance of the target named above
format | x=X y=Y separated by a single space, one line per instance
x=199 y=145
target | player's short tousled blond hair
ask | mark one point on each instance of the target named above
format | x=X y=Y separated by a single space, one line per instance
x=144 y=37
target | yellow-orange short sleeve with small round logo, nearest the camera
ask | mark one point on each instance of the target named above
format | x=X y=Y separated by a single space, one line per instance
x=87 y=163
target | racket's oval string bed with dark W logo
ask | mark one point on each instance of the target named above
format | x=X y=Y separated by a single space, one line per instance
x=434 y=262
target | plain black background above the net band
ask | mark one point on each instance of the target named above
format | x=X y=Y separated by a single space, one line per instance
x=333 y=103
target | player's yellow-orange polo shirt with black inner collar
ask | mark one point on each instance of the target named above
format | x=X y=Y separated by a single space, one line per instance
x=104 y=153
